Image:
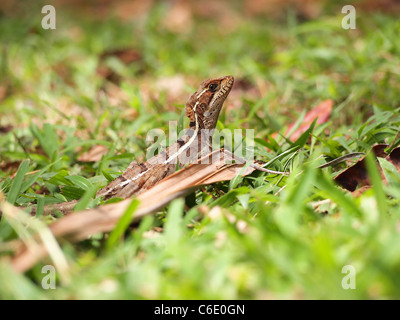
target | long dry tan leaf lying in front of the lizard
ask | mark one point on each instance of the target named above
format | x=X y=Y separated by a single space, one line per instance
x=78 y=226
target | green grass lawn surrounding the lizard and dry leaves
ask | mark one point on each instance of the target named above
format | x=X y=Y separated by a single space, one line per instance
x=257 y=237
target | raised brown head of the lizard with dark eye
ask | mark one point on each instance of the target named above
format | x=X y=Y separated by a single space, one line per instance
x=205 y=104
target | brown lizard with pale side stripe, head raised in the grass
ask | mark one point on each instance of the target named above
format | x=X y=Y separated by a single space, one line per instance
x=202 y=109
